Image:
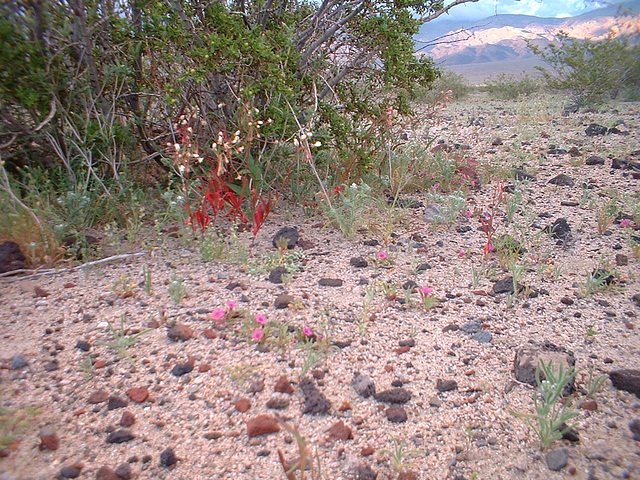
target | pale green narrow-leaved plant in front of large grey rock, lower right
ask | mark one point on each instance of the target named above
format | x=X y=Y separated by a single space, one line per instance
x=551 y=417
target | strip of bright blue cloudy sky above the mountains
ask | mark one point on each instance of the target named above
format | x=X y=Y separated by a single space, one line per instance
x=539 y=8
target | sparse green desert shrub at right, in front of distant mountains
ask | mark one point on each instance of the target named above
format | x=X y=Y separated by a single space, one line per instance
x=592 y=70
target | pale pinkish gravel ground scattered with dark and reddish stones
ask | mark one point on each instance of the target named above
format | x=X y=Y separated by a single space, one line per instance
x=183 y=402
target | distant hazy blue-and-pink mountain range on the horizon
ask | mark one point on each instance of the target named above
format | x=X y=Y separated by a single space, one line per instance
x=498 y=44
